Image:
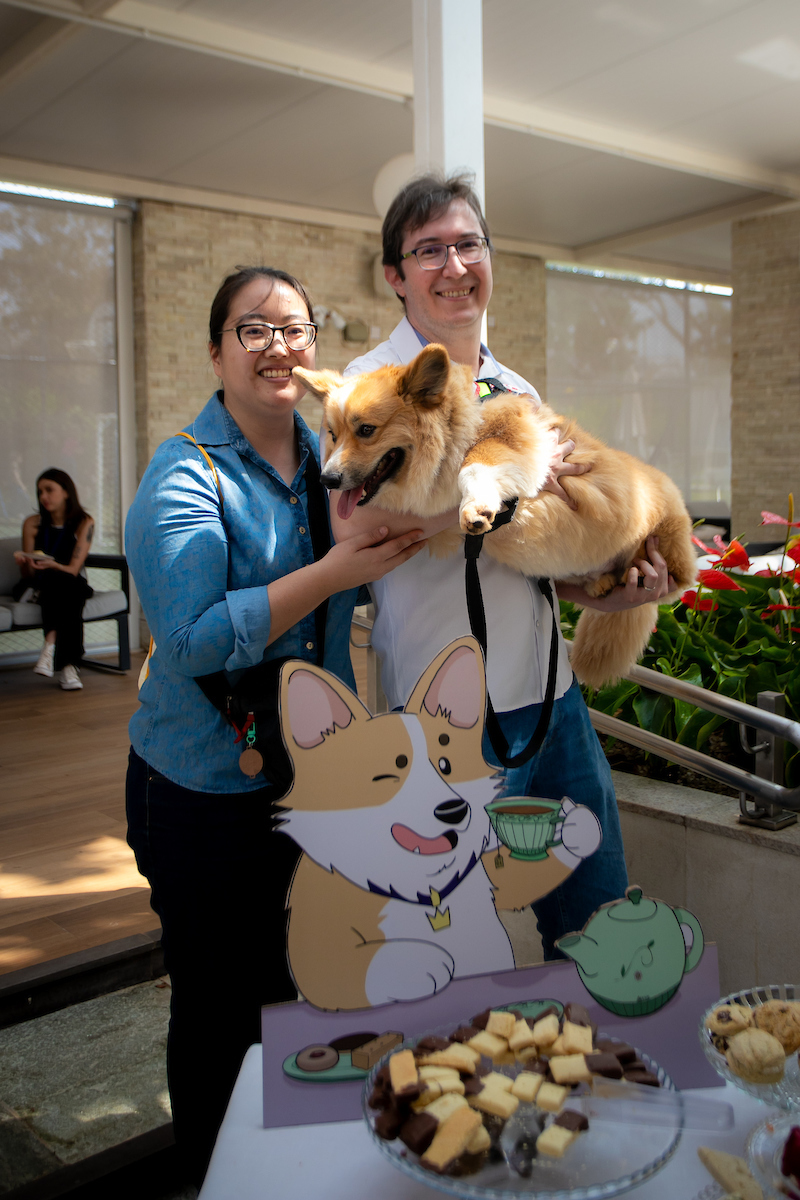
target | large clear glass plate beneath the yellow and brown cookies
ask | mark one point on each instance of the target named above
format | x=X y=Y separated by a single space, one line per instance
x=606 y=1161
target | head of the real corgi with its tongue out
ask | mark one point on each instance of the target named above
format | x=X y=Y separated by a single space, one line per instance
x=383 y=431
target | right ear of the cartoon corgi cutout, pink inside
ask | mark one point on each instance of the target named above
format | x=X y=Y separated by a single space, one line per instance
x=455 y=685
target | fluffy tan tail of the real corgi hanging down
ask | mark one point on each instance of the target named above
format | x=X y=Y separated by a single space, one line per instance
x=606 y=645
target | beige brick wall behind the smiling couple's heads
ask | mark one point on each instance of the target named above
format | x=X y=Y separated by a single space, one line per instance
x=182 y=255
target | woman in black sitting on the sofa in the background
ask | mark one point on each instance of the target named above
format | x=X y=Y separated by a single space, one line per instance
x=56 y=544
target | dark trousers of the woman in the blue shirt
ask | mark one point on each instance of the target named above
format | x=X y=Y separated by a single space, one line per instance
x=220 y=878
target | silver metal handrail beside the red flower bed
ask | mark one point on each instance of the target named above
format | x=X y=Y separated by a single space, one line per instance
x=695 y=760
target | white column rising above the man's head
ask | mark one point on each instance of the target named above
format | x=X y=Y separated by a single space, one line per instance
x=449 y=88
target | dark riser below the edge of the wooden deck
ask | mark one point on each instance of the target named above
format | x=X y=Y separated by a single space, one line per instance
x=56 y=985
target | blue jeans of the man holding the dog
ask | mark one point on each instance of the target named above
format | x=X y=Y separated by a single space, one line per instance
x=573 y=764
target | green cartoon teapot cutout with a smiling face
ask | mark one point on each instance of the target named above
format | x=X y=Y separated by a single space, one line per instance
x=634 y=953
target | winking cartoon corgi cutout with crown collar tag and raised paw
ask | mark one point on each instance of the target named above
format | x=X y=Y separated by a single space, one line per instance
x=400 y=883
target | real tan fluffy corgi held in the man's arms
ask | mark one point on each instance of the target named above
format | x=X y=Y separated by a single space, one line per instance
x=417 y=440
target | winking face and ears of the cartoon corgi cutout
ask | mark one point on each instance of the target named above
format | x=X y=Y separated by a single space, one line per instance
x=395 y=803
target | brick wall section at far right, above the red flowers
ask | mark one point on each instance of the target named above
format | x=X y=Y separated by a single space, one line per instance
x=766 y=370
